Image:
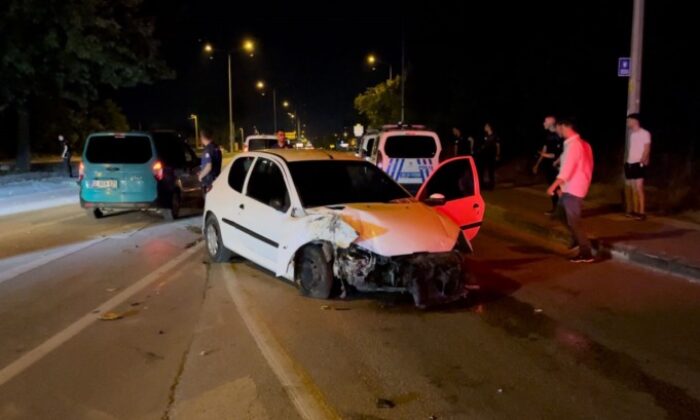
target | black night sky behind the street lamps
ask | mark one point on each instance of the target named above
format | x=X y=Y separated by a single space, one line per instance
x=467 y=63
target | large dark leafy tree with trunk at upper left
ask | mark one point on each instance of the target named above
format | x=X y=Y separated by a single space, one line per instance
x=70 y=50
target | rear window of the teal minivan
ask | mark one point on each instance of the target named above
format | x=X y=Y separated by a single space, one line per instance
x=115 y=149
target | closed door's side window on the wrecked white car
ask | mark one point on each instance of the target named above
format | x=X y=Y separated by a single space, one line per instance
x=267 y=185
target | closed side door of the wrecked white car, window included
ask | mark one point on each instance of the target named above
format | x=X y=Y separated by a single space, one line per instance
x=264 y=213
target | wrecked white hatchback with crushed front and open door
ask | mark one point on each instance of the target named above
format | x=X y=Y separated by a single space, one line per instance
x=324 y=219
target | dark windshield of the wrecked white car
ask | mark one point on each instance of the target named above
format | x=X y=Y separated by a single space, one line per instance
x=325 y=183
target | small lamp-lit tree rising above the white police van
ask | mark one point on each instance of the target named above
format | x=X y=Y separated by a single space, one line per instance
x=381 y=104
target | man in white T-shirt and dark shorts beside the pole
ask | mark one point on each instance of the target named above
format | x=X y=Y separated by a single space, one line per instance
x=636 y=161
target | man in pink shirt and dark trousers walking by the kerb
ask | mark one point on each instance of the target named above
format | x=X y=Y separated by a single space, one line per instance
x=574 y=179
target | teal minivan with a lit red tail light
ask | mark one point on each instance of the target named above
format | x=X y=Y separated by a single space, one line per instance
x=138 y=170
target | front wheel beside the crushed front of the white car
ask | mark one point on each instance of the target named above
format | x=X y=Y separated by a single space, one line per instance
x=313 y=273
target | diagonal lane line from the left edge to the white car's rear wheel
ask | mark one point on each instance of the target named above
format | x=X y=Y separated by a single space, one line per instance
x=37 y=353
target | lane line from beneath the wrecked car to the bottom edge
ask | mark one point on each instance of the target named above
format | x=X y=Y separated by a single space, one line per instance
x=303 y=393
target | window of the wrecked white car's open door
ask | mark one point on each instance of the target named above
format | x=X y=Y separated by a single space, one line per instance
x=454 y=180
